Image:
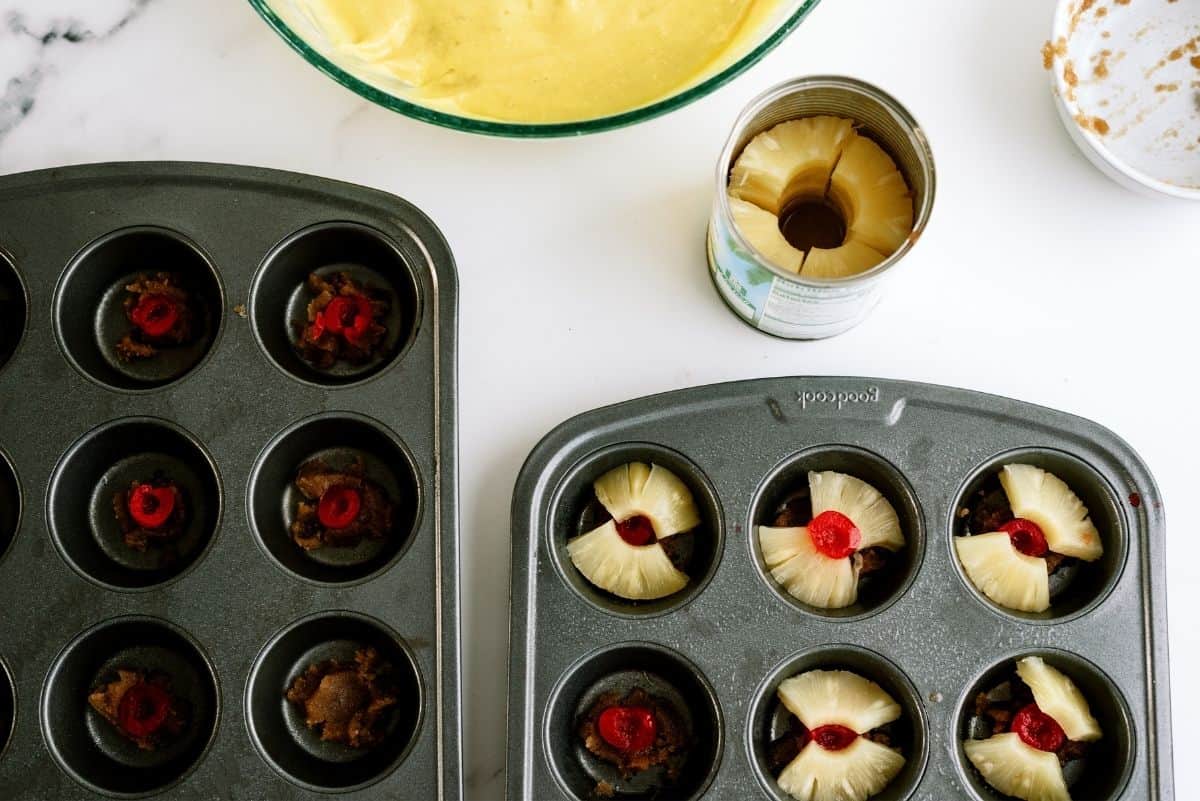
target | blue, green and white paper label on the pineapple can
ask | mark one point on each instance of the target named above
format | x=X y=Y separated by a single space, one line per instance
x=782 y=308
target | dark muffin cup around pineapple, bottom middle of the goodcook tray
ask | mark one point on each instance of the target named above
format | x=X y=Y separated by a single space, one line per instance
x=770 y=721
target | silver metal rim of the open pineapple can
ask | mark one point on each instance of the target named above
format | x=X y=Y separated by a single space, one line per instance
x=893 y=107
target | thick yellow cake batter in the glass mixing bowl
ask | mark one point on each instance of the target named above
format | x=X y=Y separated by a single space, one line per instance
x=539 y=61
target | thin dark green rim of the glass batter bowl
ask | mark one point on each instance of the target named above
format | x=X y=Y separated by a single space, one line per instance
x=518 y=130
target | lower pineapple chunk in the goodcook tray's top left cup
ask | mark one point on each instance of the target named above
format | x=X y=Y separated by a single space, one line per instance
x=633 y=573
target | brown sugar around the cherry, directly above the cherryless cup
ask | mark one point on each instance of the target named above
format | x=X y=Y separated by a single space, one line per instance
x=374 y=520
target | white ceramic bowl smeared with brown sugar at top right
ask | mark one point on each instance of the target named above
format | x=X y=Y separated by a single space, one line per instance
x=1127 y=83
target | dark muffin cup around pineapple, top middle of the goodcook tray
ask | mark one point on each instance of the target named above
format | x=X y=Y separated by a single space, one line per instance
x=788 y=485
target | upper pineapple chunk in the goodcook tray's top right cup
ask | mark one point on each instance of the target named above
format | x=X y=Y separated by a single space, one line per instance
x=1046 y=499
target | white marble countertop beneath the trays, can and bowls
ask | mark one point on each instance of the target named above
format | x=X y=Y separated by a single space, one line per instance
x=578 y=255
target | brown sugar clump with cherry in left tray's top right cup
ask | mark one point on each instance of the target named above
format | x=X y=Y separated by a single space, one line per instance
x=345 y=322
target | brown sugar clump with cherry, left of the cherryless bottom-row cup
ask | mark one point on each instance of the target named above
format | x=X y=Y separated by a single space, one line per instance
x=142 y=708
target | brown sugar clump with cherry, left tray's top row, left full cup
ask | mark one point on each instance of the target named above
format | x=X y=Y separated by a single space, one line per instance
x=160 y=315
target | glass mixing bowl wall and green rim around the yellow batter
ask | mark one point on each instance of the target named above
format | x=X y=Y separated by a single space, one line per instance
x=290 y=22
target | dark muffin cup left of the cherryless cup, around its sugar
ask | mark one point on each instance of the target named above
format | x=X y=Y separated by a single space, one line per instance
x=92 y=749
